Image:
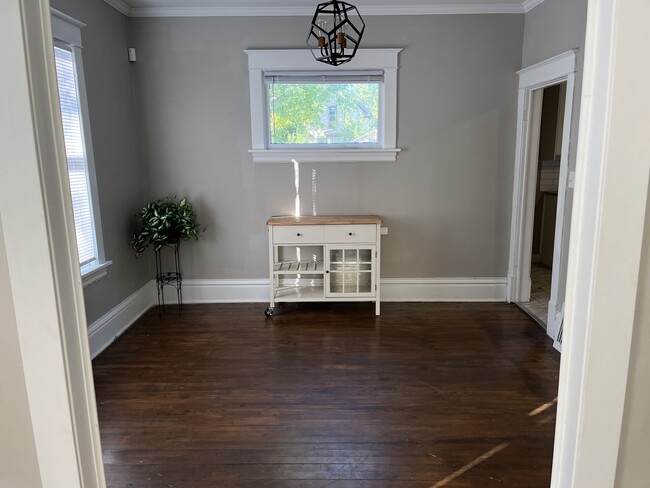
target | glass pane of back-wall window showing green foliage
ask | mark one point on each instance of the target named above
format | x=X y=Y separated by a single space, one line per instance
x=323 y=113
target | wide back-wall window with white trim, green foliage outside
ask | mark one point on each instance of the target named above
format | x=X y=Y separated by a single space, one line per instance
x=304 y=112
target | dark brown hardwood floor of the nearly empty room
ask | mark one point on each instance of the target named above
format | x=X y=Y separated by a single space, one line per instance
x=428 y=394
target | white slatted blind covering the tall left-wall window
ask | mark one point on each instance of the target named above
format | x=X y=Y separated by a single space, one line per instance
x=76 y=155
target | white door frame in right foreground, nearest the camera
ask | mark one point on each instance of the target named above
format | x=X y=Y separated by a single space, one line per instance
x=609 y=213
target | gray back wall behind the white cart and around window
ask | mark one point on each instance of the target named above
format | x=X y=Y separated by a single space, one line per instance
x=446 y=200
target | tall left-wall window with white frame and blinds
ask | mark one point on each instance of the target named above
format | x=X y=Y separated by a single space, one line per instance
x=78 y=147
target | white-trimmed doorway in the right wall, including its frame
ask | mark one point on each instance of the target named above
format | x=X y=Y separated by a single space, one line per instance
x=538 y=243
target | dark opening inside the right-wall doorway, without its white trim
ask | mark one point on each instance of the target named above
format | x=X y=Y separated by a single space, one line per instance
x=547 y=161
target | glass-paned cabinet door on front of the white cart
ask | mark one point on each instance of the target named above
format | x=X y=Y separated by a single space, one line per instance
x=350 y=271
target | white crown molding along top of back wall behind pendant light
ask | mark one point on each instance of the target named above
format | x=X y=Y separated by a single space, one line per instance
x=493 y=8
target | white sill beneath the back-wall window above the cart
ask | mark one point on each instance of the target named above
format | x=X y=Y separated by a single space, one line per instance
x=323 y=155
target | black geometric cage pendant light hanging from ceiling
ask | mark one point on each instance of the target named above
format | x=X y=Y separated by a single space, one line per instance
x=335 y=32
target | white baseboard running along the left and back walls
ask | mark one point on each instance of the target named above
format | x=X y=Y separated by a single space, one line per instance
x=112 y=324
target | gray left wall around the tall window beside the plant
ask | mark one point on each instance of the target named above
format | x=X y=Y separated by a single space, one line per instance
x=123 y=185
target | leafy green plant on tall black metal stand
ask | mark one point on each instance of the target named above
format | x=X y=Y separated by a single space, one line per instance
x=166 y=222
